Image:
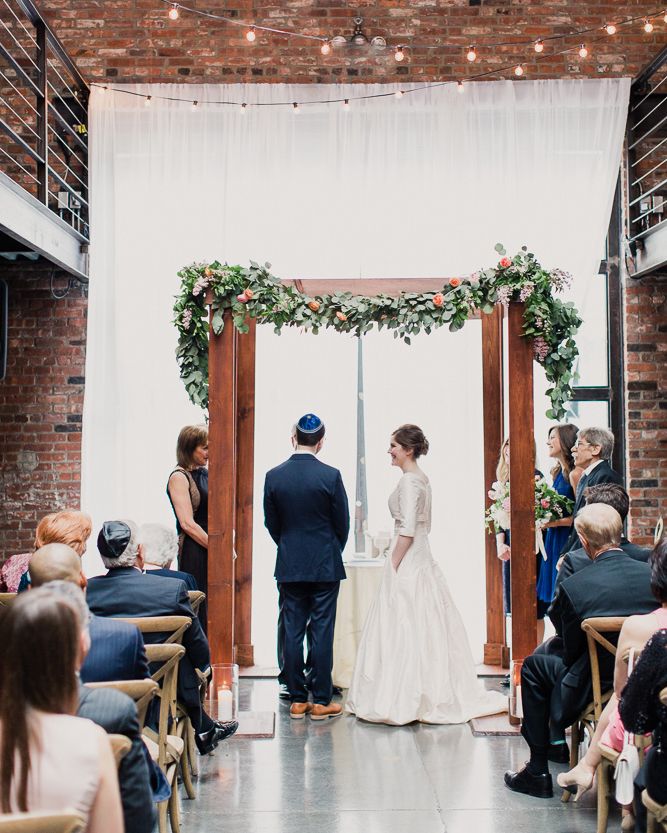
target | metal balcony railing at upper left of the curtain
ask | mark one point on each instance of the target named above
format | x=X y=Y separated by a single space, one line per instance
x=43 y=114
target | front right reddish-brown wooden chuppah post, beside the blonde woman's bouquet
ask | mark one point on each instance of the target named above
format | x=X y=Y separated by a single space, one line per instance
x=522 y=485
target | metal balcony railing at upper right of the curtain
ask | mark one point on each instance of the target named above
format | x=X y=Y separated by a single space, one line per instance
x=647 y=152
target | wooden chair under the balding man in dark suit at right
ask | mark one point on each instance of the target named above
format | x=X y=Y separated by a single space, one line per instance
x=594 y=629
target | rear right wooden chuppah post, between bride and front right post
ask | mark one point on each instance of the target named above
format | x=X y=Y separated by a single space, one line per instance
x=496 y=651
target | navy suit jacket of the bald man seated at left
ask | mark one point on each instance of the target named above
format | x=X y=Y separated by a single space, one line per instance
x=116 y=652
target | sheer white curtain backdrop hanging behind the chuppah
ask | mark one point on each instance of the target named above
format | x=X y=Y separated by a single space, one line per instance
x=416 y=187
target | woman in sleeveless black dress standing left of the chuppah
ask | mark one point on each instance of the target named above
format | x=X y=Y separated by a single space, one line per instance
x=188 y=493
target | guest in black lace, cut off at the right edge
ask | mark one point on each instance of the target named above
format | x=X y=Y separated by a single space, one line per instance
x=642 y=711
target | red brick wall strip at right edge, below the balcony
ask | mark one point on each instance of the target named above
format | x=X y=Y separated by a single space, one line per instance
x=646 y=404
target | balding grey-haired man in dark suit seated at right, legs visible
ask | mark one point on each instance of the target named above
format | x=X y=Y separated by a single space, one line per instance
x=557 y=686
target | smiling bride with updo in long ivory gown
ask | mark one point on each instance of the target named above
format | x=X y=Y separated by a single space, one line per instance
x=414 y=661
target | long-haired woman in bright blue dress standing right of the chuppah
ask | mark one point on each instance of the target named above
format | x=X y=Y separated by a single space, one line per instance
x=565 y=477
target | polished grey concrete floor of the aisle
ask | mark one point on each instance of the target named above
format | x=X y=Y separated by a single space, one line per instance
x=345 y=776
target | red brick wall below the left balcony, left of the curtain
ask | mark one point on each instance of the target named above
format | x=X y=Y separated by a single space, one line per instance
x=41 y=402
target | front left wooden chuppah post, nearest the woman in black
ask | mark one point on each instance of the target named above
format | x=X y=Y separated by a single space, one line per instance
x=222 y=490
